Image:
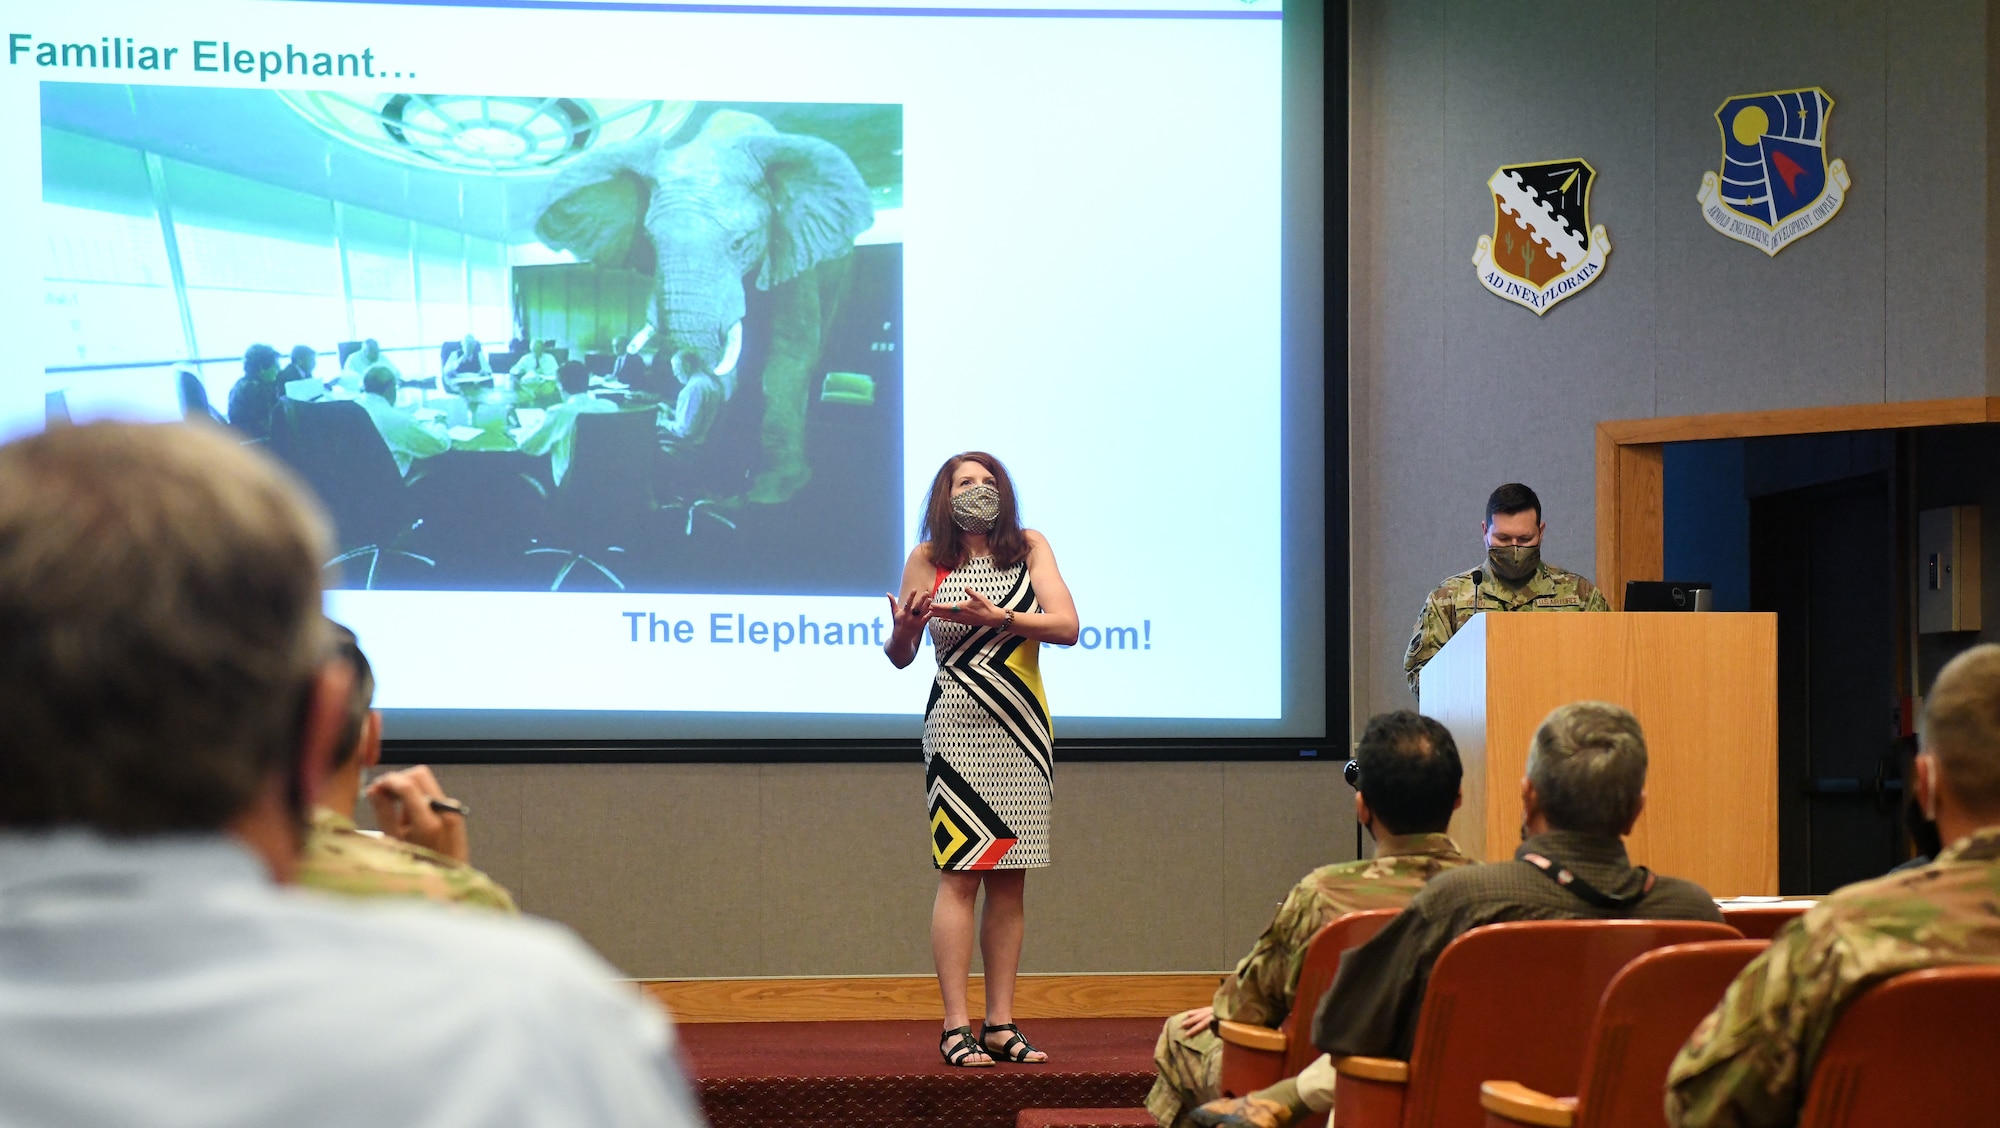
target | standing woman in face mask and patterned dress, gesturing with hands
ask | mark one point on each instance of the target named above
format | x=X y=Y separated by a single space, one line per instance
x=991 y=595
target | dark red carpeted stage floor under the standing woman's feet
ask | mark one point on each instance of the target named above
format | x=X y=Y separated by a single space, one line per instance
x=841 y=1075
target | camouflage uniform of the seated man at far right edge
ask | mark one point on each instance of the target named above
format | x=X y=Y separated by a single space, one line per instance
x=1751 y=1061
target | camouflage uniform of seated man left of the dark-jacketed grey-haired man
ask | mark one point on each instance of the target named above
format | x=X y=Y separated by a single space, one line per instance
x=1261 y=991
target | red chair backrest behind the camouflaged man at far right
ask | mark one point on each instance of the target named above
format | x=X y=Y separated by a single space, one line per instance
x=1917 y=1049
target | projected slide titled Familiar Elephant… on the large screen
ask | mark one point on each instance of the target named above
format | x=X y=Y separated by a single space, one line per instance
x=623 y=341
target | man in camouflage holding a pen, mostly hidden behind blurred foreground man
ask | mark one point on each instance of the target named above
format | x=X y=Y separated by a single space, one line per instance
x=421 y=853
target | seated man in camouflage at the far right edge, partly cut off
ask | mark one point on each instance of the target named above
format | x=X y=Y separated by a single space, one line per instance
x=1751 y=1061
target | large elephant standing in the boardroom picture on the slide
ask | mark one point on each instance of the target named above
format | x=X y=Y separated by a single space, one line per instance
x=737 y=205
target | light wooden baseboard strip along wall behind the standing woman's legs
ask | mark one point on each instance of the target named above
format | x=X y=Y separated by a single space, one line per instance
x=851 y=999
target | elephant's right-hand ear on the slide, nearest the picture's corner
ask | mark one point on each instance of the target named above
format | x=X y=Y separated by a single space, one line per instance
x=819 y=203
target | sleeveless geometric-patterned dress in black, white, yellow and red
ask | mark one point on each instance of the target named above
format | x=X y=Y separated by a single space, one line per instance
x=989 y=749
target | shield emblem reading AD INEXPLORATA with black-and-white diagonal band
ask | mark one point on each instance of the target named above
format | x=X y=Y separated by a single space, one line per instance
x=1543 y=247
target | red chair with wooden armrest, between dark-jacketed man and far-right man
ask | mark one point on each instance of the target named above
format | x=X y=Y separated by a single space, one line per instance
x=1647 y=1015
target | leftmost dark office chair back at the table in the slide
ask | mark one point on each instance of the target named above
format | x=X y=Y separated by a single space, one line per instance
x=337 y=449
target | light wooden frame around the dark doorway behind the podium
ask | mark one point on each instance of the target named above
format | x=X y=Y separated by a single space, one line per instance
x=1633 y=469
